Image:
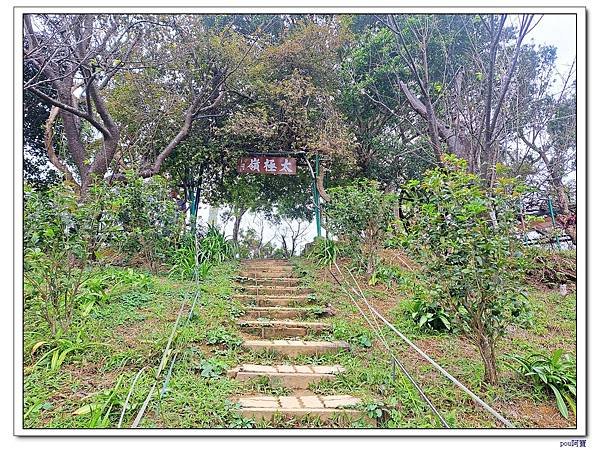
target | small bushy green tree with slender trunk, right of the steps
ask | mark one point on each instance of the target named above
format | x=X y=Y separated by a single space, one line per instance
x=462 y=233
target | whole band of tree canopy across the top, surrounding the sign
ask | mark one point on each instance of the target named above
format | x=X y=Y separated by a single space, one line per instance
x=377 y=97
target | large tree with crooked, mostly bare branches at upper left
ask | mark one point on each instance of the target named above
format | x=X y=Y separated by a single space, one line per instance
x=79 y=57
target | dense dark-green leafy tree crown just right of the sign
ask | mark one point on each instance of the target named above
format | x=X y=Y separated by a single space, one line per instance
x=390 y=147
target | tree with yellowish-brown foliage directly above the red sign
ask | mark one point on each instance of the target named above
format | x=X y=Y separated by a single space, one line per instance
x=295 y=87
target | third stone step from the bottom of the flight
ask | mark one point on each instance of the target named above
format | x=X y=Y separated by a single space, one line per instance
x=295 y=347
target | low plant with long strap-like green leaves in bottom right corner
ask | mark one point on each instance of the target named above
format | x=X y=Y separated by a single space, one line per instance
x=555 y=373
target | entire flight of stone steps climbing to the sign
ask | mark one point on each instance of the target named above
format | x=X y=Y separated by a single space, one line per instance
x=276 y=310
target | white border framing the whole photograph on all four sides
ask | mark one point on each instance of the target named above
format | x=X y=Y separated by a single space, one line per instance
x=581 y=326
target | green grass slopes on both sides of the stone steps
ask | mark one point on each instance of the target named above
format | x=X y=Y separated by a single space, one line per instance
x=130 y=328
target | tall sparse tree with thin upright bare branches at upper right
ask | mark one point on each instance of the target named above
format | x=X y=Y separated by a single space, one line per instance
x=458 y=70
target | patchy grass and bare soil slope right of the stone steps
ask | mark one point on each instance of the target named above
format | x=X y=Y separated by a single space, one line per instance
x=553 y=326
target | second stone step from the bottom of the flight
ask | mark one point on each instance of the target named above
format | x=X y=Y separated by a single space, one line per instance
x=290 y=376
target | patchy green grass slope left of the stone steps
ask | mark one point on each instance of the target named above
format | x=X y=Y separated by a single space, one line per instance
x=134 y=327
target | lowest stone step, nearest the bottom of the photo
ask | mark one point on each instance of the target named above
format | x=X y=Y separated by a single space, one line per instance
x=326 y=407
